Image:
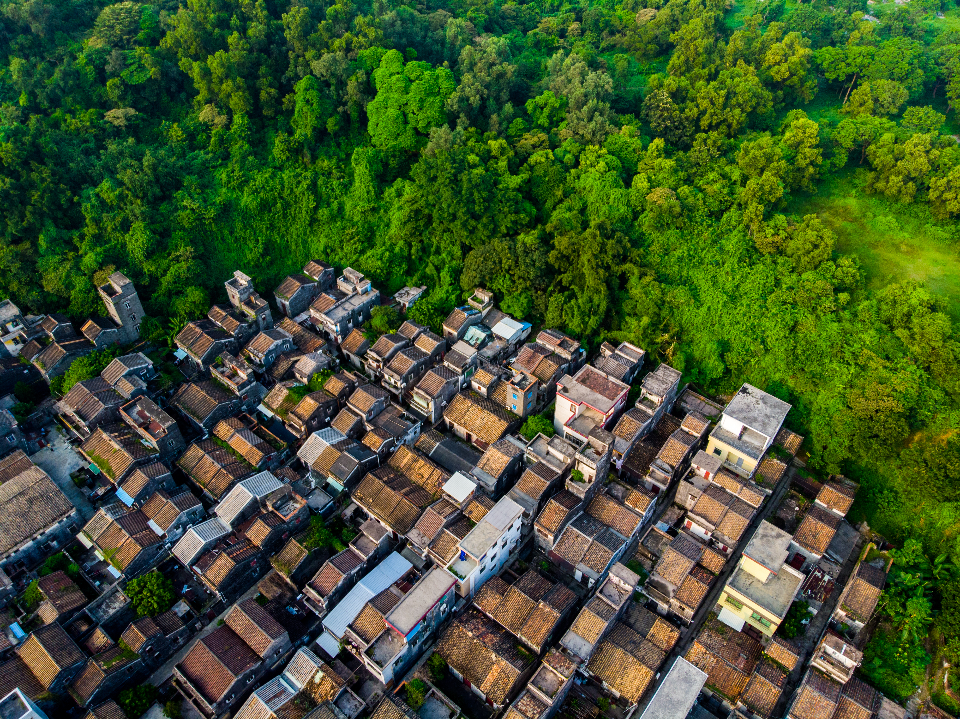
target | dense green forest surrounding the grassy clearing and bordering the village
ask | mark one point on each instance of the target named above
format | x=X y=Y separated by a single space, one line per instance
x=618 y=169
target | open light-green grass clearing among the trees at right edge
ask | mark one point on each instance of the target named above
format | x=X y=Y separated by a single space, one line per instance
x=892 y=241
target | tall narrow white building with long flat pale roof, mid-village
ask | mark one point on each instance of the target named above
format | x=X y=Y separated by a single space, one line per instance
x=488 y=546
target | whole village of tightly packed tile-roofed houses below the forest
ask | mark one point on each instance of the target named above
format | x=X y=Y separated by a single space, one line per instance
x=480 y=523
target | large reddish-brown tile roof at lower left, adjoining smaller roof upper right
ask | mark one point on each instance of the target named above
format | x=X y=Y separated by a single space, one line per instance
x=215 y=662
